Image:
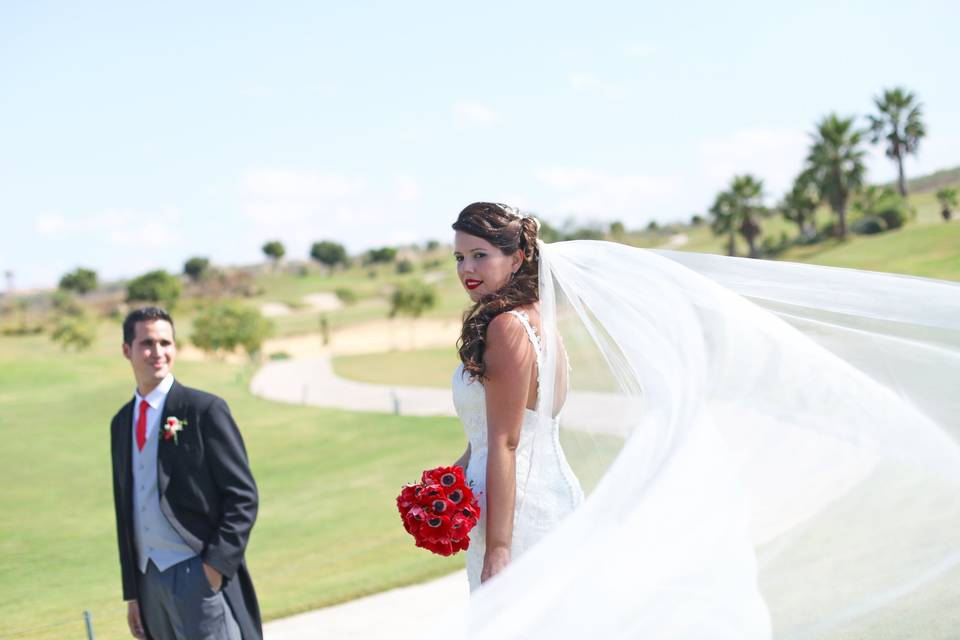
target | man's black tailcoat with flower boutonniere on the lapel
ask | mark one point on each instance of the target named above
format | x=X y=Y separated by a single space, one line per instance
x=207 y=493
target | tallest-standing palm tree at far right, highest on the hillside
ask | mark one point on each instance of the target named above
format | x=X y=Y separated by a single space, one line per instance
x=899 y=123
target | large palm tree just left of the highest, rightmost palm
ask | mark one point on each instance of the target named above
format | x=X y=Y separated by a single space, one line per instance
x=835 y=163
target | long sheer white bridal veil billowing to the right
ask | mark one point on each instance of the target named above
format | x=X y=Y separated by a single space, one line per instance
x=767 y=449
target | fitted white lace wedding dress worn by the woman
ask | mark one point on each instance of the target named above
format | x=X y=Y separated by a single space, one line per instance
x=544 y=498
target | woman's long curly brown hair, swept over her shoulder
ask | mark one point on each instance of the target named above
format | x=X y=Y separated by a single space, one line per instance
x=505 y=229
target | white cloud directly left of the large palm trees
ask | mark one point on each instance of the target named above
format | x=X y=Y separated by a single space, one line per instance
x=772 y=155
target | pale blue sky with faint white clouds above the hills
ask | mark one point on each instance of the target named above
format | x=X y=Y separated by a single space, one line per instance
x=135 y=135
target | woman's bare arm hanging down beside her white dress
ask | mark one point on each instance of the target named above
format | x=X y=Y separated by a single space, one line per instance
x=509 y=359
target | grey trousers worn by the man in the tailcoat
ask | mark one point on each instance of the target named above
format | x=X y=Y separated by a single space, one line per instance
x=178 y=604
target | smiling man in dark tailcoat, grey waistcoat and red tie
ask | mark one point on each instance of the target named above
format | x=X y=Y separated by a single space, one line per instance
x=185 y=499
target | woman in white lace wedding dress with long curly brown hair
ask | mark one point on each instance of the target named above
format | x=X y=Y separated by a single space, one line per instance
x=496 y=390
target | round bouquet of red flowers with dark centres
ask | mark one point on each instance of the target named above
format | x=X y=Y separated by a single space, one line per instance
x=439 y=511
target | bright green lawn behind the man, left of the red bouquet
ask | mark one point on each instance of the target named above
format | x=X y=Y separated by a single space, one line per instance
x=327 y=529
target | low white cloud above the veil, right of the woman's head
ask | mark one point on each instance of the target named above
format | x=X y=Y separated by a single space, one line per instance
x=595 y=194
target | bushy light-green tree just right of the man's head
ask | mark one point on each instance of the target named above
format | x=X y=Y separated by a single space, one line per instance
x=223 y=327
